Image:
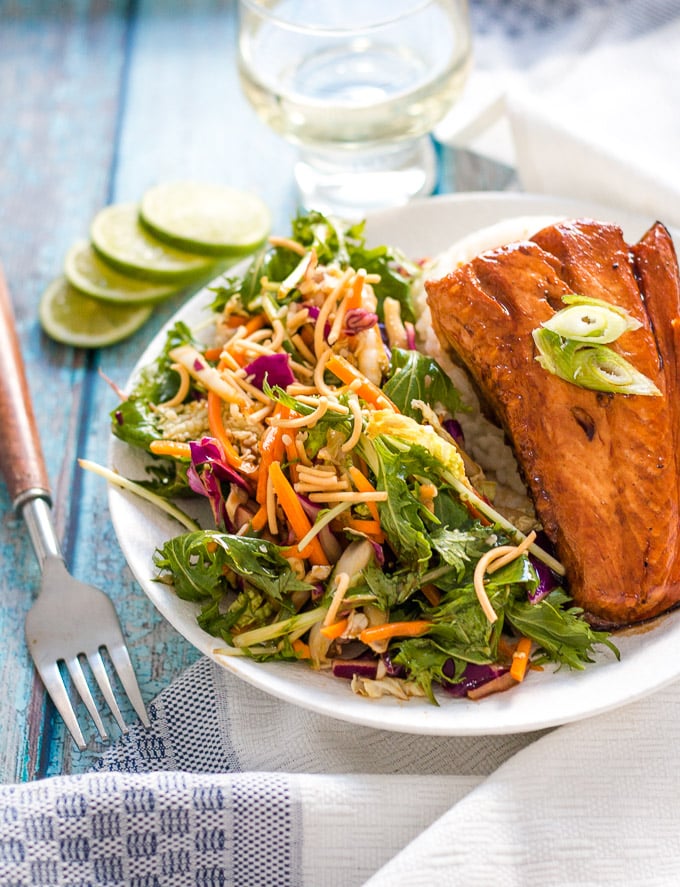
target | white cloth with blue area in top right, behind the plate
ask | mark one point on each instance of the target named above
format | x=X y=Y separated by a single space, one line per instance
x=591 y=100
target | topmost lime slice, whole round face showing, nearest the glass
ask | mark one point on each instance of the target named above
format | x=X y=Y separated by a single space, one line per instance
x=210 y=219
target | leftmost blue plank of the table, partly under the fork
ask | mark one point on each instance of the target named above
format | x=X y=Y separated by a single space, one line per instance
x=59 y=87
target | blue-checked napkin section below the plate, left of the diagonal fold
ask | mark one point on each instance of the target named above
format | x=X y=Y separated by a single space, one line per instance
x=232 y=786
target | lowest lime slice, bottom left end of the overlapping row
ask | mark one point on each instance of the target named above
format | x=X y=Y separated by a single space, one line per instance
x=74 y=319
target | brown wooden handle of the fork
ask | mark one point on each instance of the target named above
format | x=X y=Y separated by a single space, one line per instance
x=21 y=457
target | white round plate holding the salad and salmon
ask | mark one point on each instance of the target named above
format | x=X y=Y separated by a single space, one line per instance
x=649 y=657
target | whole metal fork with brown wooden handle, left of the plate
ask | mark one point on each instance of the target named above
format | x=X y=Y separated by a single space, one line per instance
x=70 y=622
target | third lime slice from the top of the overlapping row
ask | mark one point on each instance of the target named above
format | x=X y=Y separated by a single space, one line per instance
x=85 y=271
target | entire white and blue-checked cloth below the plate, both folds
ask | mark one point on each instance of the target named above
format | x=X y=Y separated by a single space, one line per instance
x=231 y=786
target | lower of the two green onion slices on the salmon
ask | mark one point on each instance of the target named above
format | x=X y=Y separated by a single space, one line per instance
x=592 y=366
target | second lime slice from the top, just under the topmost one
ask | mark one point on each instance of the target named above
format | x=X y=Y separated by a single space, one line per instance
x=119 y=239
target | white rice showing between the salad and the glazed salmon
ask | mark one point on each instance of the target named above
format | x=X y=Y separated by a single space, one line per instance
x=485 y=442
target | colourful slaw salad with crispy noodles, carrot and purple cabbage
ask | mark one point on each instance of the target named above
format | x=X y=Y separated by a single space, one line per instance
x=350 y=528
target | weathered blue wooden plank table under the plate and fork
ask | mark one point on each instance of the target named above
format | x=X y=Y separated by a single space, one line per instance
x=98 y=101
